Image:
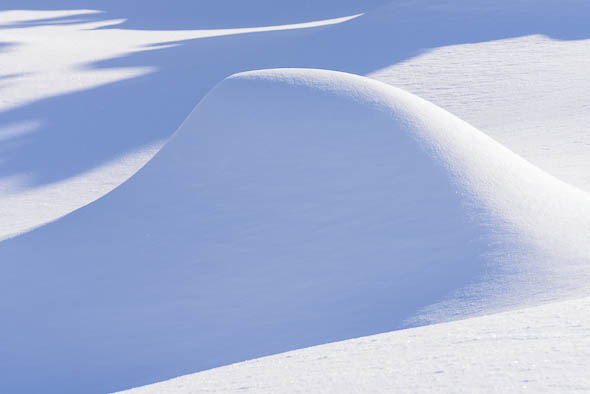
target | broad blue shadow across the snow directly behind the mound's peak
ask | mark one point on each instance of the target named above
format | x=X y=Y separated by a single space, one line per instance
x=82 y=130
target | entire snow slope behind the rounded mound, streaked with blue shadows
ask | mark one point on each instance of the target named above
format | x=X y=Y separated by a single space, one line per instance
x=80 y=122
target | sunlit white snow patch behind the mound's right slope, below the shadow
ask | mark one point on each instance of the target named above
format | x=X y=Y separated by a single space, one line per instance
x=536 y=104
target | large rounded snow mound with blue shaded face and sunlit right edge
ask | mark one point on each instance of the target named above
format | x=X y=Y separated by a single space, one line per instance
x=292 y=208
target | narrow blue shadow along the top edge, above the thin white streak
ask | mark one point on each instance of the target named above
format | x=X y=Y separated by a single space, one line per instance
x=205 y=14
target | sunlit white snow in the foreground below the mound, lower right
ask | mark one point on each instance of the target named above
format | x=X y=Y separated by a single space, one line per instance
x=538 y=350
